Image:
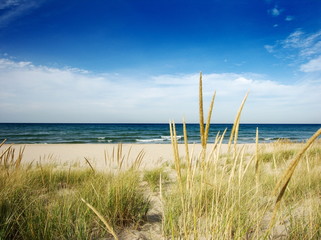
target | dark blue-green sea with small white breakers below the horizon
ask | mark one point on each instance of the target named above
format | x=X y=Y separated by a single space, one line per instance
x=99 y=133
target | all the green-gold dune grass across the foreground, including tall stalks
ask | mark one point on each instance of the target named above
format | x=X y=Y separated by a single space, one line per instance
x=269 y=193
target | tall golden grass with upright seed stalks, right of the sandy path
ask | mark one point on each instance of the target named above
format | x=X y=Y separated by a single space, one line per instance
x=231 y=196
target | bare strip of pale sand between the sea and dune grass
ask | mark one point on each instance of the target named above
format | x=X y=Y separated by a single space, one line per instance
x=100 y=155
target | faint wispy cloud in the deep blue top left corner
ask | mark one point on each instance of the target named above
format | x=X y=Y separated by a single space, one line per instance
x=13 y=9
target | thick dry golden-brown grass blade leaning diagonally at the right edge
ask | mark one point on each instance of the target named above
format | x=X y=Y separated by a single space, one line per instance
x=285 y=179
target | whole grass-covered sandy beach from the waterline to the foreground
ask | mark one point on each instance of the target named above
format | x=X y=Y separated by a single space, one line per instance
x=65 y=177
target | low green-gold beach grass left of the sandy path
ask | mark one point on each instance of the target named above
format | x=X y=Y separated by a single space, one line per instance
x=44 y=202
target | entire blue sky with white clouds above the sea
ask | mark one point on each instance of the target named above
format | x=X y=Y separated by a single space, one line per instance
x=138 y=61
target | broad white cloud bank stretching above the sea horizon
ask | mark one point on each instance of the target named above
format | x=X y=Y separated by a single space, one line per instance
x=32 y=93
